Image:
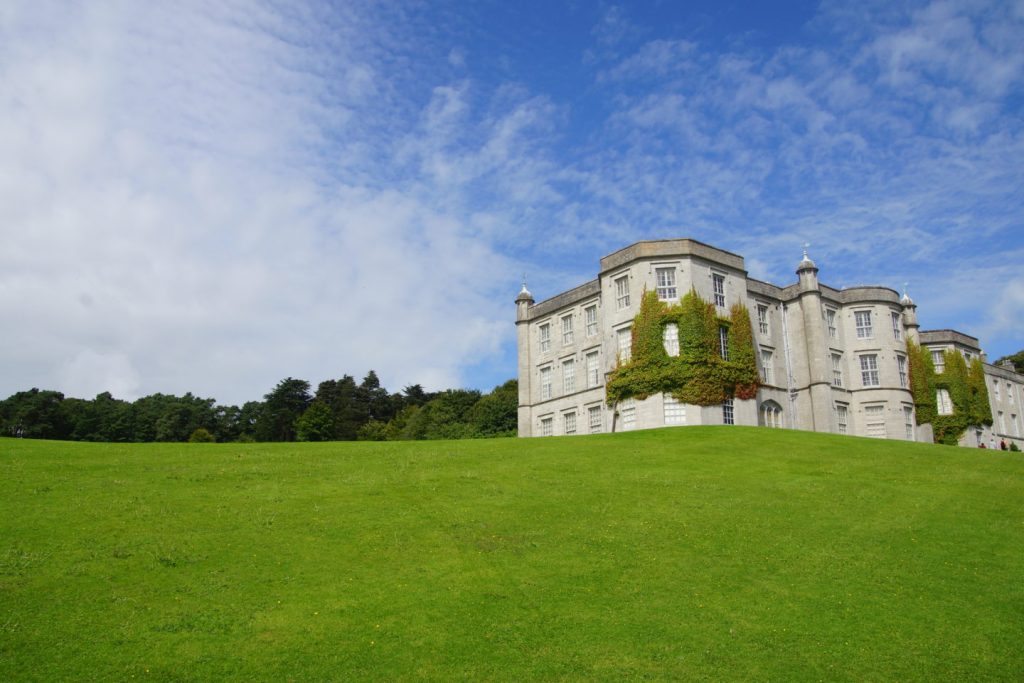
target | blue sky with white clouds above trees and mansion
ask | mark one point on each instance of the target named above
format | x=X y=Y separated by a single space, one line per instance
x=210 y=199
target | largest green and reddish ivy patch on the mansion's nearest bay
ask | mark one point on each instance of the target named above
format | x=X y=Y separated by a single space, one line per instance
x=699 y=375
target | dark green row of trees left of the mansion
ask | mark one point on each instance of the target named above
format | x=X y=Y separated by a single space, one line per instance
x=337 y=411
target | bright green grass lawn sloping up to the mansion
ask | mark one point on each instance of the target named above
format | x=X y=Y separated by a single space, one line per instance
x=684 y=554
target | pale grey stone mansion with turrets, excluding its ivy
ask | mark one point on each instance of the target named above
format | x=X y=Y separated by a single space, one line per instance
x=831 y=361
